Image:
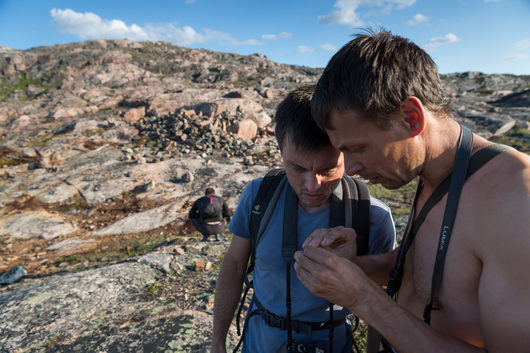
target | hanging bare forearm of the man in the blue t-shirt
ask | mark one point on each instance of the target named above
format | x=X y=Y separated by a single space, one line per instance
x=227 y=294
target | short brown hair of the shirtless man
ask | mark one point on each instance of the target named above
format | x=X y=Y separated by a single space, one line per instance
x=373 y=74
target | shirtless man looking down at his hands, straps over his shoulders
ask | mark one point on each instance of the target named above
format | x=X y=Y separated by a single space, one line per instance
x=381 y=102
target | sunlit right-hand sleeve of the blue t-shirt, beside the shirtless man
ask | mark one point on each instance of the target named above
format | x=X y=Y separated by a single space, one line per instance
x=382 y=230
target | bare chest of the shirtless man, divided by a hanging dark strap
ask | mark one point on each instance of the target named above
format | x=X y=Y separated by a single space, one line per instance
x=456 y=298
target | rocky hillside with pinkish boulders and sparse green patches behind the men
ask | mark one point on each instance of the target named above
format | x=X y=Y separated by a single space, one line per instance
x=104 y=145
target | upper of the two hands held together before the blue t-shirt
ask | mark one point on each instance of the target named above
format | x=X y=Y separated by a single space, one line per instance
x=339 y=240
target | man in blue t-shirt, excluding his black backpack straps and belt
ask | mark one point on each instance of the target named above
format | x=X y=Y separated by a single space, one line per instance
x=314 y=171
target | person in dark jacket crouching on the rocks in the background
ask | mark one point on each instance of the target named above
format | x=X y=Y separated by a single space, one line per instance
x=208 y=214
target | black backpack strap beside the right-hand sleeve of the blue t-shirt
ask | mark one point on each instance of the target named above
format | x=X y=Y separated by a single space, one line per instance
x=359 y=195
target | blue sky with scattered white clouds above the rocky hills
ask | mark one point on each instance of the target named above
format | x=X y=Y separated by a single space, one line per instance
x=491 y=36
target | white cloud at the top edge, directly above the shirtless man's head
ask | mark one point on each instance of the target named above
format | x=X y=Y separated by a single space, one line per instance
x=347 y=10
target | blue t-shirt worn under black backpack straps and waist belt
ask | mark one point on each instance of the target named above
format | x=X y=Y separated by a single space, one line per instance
x=270 y=273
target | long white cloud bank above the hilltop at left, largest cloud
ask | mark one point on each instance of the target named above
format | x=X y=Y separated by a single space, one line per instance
x=90 y=26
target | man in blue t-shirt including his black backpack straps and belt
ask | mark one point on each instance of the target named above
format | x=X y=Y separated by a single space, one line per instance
x=312 y=192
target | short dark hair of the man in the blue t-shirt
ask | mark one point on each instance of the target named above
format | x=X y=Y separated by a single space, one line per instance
x=294 y=121
